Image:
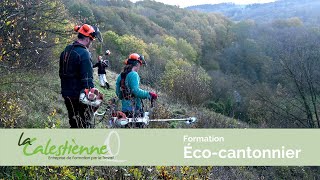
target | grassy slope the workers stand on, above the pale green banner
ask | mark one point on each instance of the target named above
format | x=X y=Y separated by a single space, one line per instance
x=43 y=107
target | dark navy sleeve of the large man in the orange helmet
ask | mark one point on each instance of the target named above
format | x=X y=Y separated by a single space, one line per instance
x=86 y=71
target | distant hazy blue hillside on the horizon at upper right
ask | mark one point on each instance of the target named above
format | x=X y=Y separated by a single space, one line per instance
x=306 y=10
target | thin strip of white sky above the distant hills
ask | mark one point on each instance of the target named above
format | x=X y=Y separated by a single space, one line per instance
x=185 y=3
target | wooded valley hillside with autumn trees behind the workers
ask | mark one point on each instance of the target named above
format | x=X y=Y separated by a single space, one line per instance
x=264 y=74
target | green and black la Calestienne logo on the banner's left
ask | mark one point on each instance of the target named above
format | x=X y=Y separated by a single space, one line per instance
x=72 y=148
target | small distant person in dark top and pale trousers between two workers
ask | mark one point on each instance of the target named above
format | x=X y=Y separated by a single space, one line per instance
x=102 y=65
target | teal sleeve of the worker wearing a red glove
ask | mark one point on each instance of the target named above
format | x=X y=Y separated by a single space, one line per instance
x=133 y=82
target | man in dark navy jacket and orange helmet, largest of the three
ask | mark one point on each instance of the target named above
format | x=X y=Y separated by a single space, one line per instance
x=76 y=74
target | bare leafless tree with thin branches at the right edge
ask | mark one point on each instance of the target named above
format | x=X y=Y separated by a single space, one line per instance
x=297 y=55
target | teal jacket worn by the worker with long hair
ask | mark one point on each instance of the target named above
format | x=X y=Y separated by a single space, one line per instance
x=132 y=82
